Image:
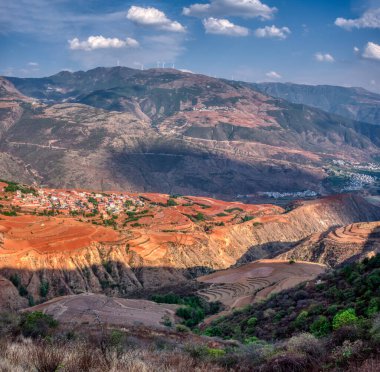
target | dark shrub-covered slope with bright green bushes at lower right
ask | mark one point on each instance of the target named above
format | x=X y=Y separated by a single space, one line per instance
x=346 y=297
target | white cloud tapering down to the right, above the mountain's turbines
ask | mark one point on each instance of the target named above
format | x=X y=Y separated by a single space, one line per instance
x=153 y=17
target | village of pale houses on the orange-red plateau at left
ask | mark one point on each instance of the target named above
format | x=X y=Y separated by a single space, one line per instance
x=72 y=201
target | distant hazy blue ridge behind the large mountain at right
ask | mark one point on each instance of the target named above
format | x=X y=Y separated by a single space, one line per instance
x=352 y=103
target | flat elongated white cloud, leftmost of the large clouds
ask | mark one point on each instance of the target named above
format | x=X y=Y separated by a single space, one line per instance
x=101 y=42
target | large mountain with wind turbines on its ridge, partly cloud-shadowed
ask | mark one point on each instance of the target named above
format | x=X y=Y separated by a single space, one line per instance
x=162 y=130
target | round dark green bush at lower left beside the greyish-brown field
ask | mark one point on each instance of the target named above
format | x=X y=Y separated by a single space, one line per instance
x=37 y=324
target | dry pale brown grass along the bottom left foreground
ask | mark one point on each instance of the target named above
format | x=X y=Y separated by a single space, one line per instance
x=24 y=355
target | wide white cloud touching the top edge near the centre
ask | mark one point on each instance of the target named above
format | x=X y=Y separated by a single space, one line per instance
x=238 y=8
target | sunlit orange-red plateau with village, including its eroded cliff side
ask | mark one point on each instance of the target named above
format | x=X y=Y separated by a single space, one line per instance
x=61 y=242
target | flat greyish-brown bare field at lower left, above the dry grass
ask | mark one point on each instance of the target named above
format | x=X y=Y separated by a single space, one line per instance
x=99 y=309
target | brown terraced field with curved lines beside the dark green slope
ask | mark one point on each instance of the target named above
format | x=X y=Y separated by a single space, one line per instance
x=256 y=281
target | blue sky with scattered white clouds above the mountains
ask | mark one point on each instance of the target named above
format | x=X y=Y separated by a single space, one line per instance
x=334 y=42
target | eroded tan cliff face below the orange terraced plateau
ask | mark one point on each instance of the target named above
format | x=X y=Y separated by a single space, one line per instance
x=119 y=265
